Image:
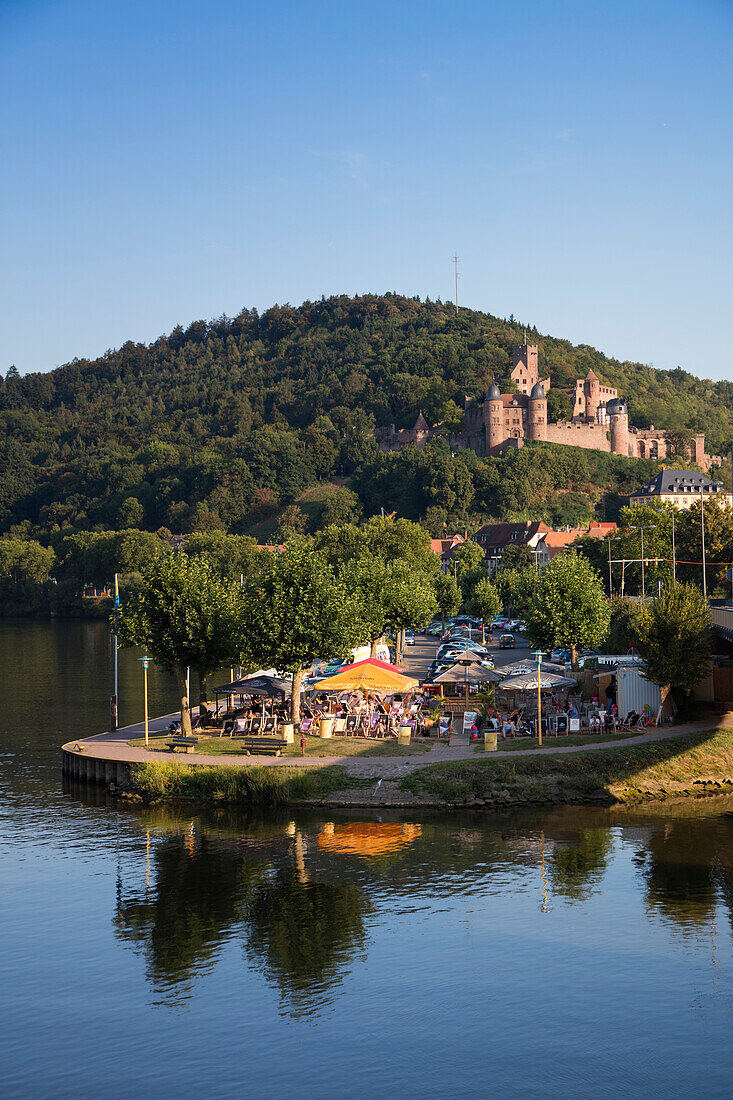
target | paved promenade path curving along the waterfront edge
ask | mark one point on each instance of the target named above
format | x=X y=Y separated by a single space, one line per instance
x=115 y=747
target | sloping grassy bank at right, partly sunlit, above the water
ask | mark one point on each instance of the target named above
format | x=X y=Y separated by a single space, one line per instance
x=688 y=765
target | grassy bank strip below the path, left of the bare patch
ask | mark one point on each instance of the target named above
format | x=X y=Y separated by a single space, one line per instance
x=257 y=786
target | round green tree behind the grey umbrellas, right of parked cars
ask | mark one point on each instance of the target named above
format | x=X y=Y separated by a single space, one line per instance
x=568 y=608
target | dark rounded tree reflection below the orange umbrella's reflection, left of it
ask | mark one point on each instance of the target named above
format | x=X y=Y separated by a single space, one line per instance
x=305 y=933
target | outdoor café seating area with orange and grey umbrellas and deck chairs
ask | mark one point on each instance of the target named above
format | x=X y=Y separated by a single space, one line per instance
x=376 y=700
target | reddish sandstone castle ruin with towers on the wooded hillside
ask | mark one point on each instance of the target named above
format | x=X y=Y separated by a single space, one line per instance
x=600 y=421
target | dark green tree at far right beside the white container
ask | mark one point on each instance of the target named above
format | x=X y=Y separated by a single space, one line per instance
x=675 y=639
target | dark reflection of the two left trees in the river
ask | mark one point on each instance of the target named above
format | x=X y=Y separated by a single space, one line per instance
x=303 y=932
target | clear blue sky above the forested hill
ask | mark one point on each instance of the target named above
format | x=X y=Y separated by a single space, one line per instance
x=169 y=161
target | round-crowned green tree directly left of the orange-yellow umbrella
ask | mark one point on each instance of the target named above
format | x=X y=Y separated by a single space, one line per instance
x=298 y=612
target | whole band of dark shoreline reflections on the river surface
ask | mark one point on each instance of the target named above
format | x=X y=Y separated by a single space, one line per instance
x=300 y=894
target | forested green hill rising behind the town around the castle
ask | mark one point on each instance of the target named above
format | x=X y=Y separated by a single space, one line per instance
x=222 y=423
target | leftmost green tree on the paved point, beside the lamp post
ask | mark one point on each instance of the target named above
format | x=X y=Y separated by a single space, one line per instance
x=185 y=617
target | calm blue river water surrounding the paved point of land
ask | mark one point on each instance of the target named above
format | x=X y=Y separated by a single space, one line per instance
x=173 y=953
